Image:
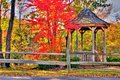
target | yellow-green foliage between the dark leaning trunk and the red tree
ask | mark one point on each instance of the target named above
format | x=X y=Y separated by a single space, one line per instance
x=22 y=37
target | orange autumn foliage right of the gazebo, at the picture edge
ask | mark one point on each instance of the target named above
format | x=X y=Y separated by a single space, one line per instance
x=113 y=38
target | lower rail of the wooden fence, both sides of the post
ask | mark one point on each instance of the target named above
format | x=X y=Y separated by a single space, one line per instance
x=63 y=63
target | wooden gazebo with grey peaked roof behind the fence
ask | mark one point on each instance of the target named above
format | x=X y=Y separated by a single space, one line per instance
x=87 y=20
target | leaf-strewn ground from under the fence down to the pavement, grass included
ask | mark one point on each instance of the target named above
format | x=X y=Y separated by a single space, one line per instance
x=86 y=71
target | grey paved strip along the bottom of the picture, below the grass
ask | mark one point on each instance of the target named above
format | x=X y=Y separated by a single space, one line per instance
x=57 y=78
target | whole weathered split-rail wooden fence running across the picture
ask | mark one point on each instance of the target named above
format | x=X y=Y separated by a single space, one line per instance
x=55 y=62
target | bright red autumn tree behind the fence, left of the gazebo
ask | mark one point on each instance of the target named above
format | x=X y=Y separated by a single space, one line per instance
x=52 y=17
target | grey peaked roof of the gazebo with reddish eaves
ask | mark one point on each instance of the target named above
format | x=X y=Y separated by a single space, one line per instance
x=86 y=18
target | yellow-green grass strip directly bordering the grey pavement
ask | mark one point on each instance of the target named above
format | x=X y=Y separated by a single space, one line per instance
x=91 y=73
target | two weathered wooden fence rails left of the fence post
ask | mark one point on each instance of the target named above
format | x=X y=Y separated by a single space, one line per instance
x=33 y=61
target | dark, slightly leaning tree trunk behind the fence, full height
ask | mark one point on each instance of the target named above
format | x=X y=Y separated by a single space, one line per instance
x=9 y=32
